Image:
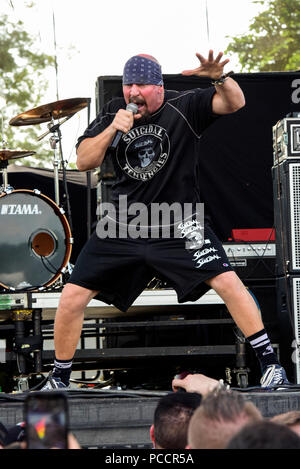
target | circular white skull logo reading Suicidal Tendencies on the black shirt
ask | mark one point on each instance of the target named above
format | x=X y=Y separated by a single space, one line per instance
x=146 y=152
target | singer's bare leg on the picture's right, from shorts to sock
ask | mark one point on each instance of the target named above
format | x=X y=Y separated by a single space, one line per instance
x=239 y=302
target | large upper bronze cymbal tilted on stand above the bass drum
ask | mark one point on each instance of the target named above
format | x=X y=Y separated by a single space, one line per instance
x=47 y=112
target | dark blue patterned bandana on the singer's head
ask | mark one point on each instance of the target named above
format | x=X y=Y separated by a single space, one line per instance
x=141 y=70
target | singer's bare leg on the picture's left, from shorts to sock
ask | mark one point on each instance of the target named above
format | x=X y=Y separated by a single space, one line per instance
x=69 y=318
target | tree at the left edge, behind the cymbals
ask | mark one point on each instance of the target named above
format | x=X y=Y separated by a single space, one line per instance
x=22 y=84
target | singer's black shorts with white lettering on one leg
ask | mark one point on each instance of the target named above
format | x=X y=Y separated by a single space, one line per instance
x=120 y=269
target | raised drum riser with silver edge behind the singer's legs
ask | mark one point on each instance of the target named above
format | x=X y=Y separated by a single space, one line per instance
x=156 y=333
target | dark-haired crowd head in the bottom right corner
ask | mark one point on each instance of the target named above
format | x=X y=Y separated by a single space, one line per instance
x=265 y=435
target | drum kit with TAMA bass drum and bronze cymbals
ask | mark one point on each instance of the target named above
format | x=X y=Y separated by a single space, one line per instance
x=35 y=235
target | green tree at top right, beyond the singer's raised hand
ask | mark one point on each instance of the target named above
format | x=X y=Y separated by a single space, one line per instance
x=273 y=43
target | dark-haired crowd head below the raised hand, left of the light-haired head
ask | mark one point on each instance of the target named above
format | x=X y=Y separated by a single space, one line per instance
x=171 y=419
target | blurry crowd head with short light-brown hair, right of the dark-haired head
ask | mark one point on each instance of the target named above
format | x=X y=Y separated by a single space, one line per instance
x=221 y=415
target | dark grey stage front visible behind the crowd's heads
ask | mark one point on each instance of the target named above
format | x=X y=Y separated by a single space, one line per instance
x=122 y=419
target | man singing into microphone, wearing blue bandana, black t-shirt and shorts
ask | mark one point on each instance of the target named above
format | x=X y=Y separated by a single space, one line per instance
x=156 y=162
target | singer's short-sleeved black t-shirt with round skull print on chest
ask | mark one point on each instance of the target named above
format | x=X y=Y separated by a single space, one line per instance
x=157 y=161
